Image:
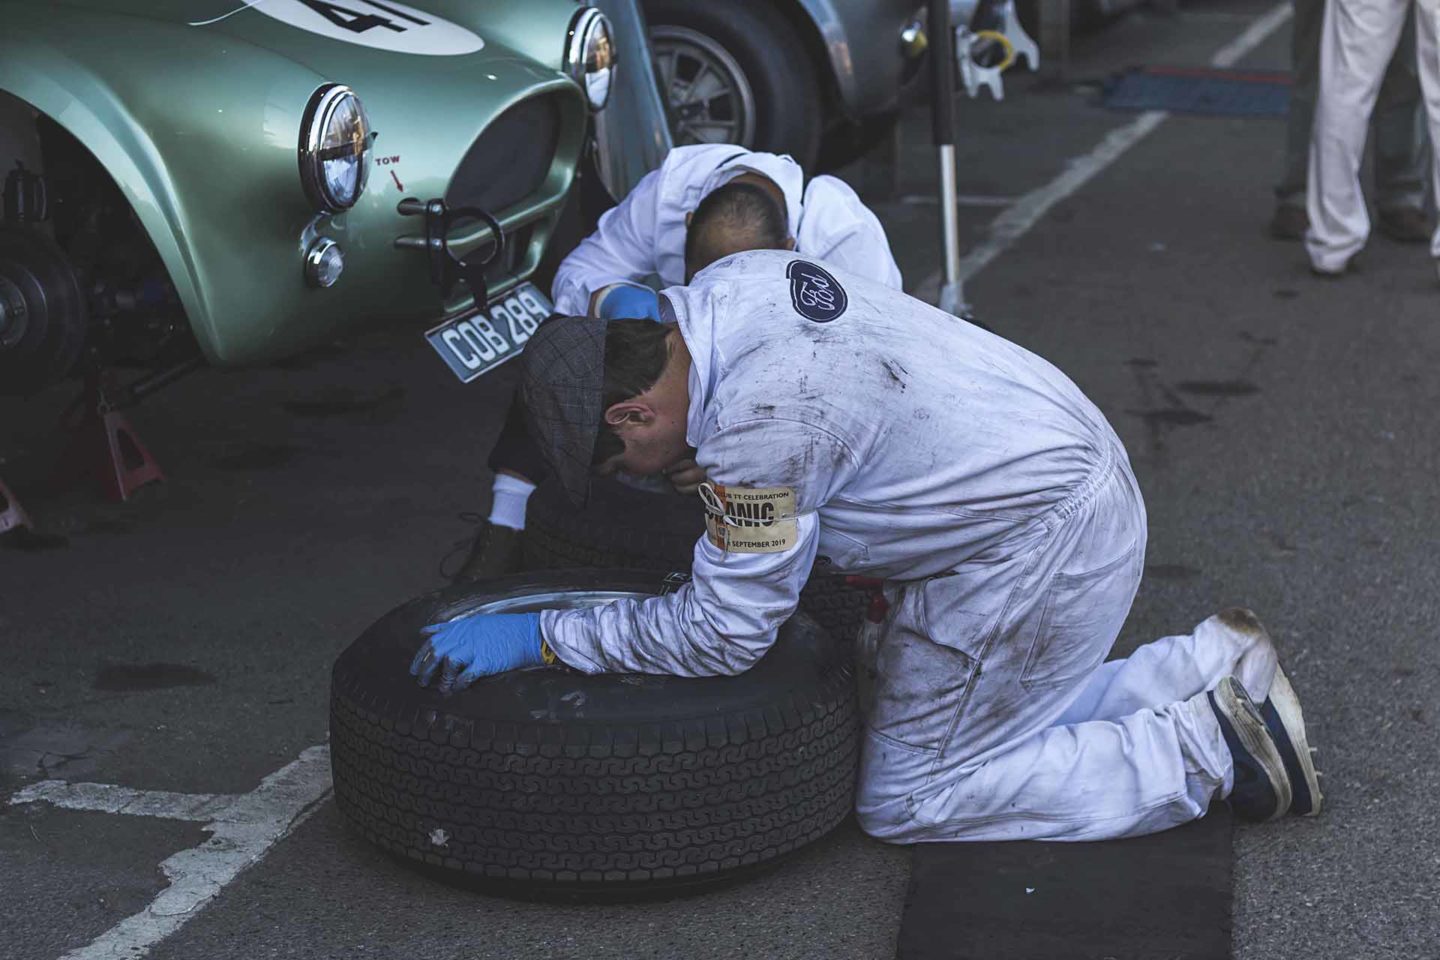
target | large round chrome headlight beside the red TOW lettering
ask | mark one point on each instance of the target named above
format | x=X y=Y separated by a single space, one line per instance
x=335 y=149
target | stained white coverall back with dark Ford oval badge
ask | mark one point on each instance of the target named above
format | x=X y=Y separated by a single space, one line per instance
x=961 y=440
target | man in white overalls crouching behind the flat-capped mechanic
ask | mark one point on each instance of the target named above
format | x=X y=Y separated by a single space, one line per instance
x=705 y=202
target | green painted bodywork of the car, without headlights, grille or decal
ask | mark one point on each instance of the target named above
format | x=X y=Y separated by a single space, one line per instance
x=199 y=126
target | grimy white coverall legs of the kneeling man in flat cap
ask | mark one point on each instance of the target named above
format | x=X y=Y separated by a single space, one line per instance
x=994 y=717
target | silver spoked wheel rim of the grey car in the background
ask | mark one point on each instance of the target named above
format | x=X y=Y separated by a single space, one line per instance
x=709 y=96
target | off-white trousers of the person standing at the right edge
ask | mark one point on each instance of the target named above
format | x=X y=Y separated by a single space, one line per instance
x=1357 y=44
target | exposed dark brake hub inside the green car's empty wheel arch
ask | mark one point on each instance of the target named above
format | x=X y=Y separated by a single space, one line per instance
x=42 y=313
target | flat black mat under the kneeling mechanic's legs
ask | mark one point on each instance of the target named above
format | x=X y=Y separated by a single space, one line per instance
x=1144 y=899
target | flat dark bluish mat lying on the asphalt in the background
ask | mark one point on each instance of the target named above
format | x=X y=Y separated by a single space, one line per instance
x=1200 y=91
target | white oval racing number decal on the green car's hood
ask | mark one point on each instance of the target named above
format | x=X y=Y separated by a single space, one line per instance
x=385 y=25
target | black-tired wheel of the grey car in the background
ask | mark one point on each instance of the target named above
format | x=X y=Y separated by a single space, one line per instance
x=771 y=86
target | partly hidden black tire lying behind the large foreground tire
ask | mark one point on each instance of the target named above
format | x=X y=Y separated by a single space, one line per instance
x=627 y=527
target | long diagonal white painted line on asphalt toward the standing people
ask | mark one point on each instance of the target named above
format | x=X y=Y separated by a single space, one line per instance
x=1017 y=221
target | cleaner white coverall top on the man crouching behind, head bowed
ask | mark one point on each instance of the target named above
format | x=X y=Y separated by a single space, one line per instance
x=646 y=232
